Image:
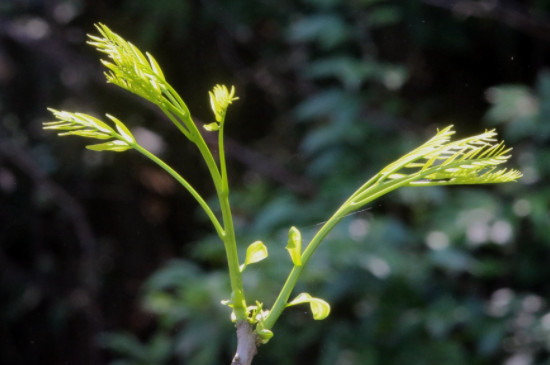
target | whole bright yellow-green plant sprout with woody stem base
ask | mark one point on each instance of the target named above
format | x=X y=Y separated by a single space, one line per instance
x=439 y=161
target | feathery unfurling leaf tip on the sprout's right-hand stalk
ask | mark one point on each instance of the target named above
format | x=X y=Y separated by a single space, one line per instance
x=442 y=161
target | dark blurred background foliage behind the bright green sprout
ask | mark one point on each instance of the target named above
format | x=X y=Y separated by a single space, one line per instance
x=103 y=259
